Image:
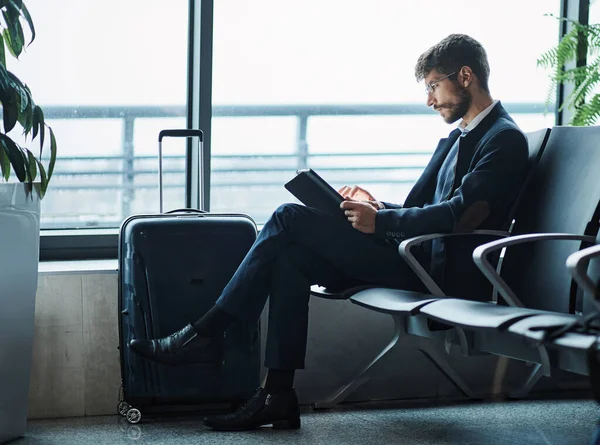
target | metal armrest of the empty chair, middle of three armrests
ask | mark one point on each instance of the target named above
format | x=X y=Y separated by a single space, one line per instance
x=481 y=253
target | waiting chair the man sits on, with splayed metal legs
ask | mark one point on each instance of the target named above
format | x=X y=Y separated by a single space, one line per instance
x=402 y=304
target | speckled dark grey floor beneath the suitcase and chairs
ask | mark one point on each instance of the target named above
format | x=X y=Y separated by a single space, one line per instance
x=524 y=422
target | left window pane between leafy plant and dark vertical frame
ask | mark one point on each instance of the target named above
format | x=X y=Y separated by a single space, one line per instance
x=109 y=74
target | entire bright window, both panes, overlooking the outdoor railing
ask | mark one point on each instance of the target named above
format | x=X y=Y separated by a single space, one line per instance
x=326 y=84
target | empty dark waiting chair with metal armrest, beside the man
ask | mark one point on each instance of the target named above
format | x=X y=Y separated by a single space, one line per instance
x=561 y=204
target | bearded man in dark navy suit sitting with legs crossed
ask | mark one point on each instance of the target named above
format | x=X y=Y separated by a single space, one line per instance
x=470 y=183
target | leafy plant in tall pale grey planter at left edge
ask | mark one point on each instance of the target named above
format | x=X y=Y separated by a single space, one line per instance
x=24 y=182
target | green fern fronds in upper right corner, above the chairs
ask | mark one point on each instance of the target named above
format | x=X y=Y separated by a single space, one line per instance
x=581 y=42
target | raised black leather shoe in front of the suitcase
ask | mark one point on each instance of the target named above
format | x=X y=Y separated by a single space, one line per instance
x=182 y=347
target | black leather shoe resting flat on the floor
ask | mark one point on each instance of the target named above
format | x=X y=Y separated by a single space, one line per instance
x=280 y=410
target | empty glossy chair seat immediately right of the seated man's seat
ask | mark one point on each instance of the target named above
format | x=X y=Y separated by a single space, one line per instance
x=476 y=315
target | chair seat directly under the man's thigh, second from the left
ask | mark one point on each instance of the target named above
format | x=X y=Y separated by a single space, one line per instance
x=392 y=301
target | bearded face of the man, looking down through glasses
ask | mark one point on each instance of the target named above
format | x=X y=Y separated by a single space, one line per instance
x=447 y=96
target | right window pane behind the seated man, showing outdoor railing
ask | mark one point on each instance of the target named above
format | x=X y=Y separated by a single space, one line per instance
x=329 y=84
